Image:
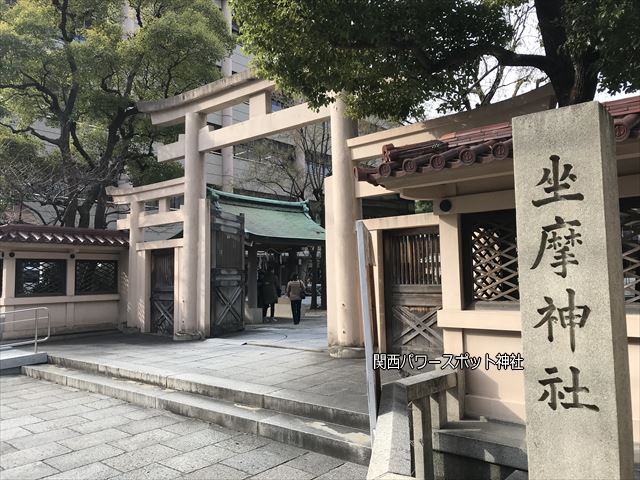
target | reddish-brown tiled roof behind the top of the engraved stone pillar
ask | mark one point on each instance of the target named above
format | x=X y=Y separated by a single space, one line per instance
x=479 y=145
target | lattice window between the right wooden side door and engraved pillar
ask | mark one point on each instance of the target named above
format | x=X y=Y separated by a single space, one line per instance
x=492 y=256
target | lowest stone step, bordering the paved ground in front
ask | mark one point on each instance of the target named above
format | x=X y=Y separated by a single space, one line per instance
x=339 y=441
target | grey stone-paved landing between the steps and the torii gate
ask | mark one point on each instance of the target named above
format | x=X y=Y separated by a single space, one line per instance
x=288 y=357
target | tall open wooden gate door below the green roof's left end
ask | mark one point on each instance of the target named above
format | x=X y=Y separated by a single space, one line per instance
x=227 y=272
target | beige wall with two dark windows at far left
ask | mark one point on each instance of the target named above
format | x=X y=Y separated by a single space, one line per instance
x=79 y=287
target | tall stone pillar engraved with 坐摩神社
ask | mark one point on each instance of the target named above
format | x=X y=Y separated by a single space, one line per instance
x=578 y=399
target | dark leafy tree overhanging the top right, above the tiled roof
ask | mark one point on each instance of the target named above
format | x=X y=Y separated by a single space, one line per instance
x=393 y=55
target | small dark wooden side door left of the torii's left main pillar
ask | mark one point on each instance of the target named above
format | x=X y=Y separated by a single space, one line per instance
x=162 y=300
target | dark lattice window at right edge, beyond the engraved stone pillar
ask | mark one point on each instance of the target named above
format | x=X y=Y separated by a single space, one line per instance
x=630 y=223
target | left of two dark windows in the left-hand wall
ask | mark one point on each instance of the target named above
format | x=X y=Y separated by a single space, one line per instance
x=40 y=278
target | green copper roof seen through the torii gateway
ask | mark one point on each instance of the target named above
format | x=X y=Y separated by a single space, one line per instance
x=271 y=220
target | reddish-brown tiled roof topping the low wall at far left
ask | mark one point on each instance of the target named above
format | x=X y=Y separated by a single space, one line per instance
x=23 y=233
